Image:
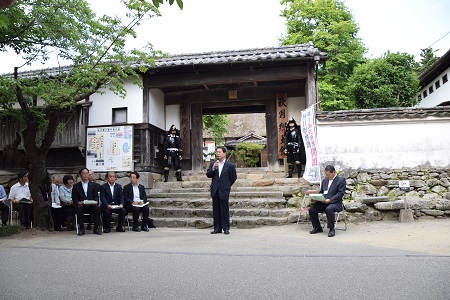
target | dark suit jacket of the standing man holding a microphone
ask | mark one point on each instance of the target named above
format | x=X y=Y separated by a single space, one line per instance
x=223 y=183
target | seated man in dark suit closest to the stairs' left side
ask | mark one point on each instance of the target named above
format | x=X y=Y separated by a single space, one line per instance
x=133 y=194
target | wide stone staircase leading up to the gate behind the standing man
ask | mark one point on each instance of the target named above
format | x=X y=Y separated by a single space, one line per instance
x=258 y=197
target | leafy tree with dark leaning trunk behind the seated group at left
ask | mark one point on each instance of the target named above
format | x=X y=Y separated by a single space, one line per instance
x=94 y=48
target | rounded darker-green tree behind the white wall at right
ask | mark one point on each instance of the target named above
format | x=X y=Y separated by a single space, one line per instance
x=388 y=81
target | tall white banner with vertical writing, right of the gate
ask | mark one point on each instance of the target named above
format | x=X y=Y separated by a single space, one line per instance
x=308 y=127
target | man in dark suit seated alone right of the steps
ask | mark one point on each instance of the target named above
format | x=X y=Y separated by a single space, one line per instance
x=333 y=189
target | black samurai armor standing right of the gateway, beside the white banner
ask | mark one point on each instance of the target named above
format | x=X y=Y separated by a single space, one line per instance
x=292 y=144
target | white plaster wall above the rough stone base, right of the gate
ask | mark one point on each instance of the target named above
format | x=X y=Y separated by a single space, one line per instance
x=394 y=144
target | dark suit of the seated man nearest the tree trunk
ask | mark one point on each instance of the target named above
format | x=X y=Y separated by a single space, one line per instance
x=79 y=195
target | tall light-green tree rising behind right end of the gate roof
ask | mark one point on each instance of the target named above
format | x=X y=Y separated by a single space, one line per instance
x=330 y=25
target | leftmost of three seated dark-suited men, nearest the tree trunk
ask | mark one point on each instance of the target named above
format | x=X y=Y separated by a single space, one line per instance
x=86 y=190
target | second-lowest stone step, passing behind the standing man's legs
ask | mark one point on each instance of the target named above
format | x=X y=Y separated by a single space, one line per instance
x=171 y=212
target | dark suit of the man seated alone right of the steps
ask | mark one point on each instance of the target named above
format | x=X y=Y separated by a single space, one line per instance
x=335 y=193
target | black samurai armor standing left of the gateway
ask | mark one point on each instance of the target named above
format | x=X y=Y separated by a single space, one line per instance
x=172 y=155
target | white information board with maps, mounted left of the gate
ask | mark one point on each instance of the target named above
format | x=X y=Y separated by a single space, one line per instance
x=109 y=148
